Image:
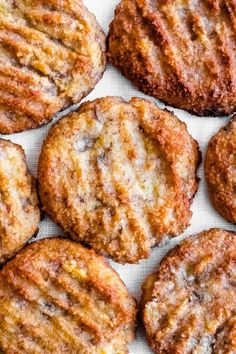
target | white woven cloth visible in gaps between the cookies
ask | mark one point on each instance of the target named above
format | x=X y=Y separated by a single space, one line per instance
x=204 y=216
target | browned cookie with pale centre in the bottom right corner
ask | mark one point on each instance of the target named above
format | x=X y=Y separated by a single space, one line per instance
x=189 y=304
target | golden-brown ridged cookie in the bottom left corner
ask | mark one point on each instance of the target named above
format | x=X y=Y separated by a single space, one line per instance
x=58 y=297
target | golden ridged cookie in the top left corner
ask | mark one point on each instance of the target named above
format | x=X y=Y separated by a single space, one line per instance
x=52 y=53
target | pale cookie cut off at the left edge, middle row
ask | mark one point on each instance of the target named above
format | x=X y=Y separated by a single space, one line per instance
x=19 y=209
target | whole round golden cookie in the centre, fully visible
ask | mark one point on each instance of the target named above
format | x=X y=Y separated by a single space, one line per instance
x=119 y=176
